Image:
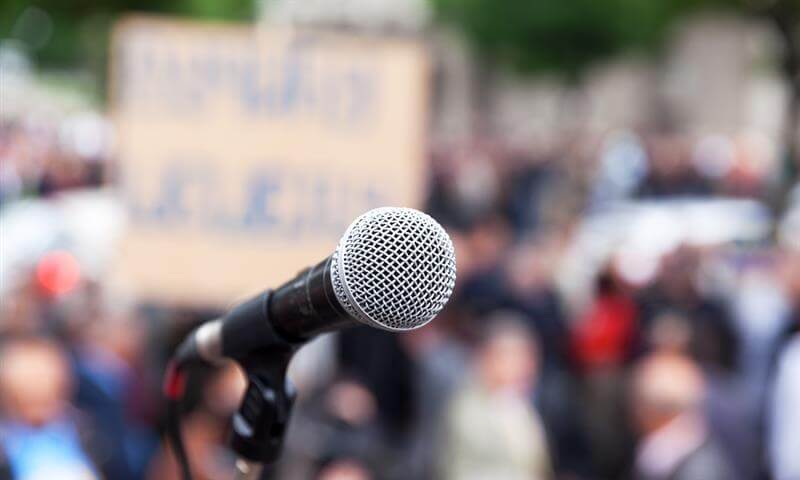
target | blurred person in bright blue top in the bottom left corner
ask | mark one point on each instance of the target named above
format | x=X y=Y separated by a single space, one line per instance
x=41 y=435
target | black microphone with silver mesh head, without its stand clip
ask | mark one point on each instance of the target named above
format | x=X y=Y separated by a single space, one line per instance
x=393 y=269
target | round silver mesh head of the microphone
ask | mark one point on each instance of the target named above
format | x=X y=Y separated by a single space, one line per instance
x=394 y=268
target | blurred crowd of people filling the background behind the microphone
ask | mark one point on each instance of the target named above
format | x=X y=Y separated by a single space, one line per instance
x=688 y=369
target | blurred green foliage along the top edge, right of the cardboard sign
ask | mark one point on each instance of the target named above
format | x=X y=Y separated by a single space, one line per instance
x=565 y=35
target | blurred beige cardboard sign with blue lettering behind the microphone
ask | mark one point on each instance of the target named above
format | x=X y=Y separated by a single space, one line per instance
x=245 y=153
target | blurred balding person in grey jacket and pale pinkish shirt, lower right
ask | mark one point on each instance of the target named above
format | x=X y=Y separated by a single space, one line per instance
x=667 y=397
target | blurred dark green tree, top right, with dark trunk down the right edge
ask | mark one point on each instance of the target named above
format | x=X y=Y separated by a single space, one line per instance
x=567 y=36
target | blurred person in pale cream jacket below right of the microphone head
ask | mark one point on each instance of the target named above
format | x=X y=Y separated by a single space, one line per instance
x=491 y=429
